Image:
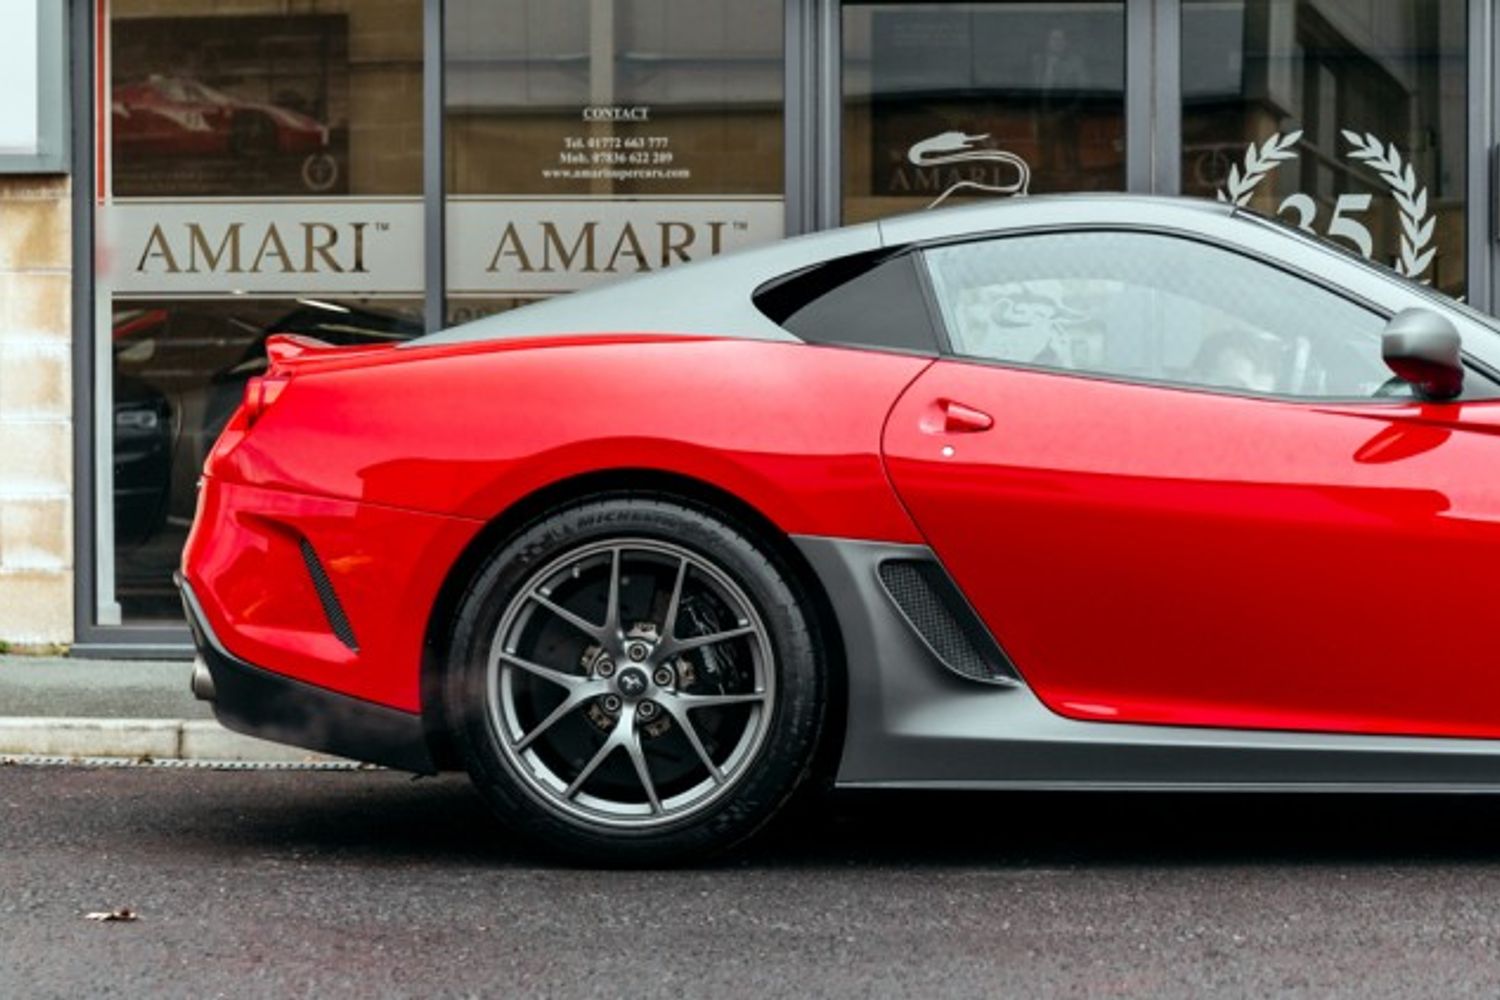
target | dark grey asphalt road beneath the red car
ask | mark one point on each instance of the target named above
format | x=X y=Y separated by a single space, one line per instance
x=370 y=884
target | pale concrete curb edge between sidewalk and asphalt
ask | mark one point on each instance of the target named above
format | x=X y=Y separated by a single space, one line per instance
x=137 y=738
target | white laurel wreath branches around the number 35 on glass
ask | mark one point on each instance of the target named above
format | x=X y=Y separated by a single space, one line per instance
x=1382 y=158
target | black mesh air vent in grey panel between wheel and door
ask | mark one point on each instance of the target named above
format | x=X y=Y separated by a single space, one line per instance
x=938 y=612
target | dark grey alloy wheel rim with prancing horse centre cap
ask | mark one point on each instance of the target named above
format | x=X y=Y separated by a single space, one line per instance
x=631 y=683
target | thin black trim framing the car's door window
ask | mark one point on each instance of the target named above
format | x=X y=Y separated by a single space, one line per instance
x=1490 y=377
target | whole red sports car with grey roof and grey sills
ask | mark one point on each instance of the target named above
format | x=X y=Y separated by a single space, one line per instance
x=1057 y=493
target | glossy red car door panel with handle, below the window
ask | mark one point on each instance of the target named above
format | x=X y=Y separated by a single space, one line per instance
x=1177 y=557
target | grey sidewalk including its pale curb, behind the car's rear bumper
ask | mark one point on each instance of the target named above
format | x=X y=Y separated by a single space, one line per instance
x=59 y=707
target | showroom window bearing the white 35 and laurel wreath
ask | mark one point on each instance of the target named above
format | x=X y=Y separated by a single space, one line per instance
x=1348 y=121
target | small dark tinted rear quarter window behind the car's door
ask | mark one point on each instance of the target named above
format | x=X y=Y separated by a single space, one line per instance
x=862 y=302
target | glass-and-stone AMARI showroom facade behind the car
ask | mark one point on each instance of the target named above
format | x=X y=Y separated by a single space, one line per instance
x=371 y=170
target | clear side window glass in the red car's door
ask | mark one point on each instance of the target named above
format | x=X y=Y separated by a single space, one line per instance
x=1156 y=308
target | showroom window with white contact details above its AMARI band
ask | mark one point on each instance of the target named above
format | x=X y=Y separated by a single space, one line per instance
x=589 y=140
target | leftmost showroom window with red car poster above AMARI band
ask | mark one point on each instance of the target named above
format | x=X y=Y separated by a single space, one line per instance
x=260 y=173
